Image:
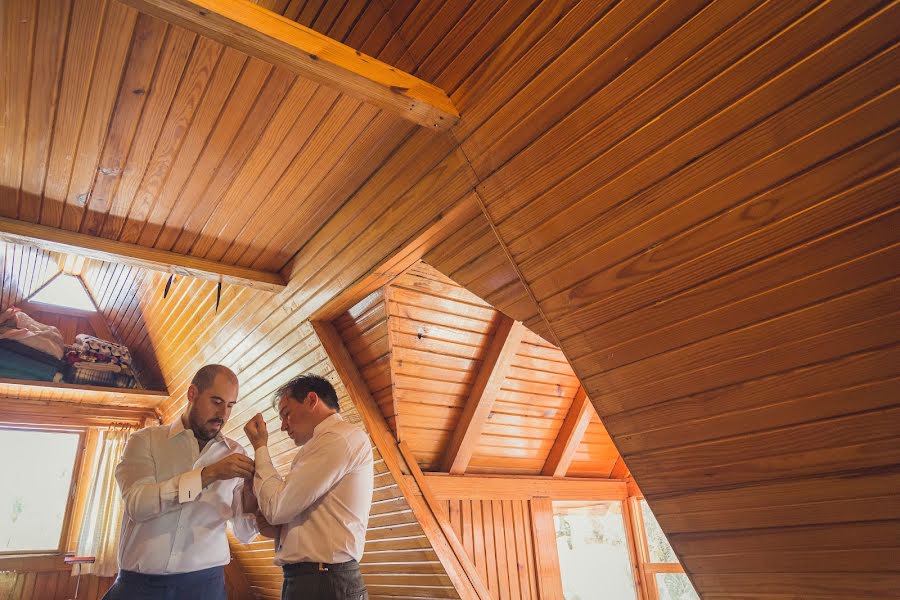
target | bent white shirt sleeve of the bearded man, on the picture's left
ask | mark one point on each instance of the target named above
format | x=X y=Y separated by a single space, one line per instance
x=144 y=497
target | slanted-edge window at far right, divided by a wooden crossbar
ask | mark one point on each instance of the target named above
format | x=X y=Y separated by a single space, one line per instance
x=662 y=572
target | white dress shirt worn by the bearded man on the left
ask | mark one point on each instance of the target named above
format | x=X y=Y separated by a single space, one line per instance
x=171 y=524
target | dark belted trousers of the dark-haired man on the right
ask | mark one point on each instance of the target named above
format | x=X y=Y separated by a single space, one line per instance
x=310 y=581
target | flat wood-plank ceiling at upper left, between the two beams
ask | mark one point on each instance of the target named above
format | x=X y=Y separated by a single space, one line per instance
x=180 y=144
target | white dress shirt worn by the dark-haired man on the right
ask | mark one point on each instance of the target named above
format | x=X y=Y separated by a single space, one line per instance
x=322 y=504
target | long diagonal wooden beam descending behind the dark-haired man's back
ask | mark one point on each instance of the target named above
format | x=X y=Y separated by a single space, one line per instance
x=448 y=549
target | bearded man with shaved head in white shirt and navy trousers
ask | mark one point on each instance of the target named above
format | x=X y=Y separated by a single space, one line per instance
x=180 y=484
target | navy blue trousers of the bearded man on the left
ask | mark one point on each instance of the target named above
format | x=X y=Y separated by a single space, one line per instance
x=208 y=584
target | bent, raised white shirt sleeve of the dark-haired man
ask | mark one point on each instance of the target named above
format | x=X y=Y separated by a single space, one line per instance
x=316 y=471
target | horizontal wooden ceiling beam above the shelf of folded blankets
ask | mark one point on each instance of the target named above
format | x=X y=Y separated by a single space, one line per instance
x=70 y=242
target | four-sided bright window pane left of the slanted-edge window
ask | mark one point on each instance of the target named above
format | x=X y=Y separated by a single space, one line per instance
x=593 y=551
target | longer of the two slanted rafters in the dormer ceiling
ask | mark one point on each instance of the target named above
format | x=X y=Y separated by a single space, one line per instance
x=484 y=392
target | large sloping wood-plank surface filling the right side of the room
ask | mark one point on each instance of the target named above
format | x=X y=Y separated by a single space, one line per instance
x=701 y=198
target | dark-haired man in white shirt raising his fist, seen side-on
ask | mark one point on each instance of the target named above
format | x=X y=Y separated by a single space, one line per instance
x=319 y=512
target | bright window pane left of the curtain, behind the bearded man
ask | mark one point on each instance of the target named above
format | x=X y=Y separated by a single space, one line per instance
x=32 y=509
